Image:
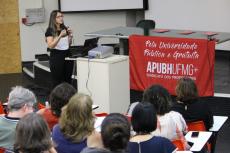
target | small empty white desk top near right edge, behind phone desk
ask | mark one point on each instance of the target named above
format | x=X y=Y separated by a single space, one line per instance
x=218 y=122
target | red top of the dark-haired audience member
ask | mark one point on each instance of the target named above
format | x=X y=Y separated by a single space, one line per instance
x=50 y=118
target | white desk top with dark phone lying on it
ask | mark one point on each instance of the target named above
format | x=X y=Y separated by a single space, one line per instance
x=198 y=142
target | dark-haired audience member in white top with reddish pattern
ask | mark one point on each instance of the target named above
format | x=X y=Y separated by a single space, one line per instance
x=171 y=124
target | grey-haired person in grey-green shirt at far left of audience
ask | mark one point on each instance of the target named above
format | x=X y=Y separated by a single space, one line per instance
x=20 y=103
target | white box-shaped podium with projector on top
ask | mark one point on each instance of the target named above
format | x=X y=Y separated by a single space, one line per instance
x=106 y=81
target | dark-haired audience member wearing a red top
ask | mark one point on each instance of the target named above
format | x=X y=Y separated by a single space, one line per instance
x=58 y=98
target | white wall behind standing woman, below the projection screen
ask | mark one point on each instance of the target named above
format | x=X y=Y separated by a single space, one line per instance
x=32 y=37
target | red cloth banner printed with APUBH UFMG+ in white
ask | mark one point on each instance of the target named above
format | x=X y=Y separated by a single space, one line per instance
x=164 y=60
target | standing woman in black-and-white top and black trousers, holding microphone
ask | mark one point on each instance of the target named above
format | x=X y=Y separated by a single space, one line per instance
x=59 y=38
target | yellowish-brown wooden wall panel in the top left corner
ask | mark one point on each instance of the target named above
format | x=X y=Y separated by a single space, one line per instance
x=10 y=53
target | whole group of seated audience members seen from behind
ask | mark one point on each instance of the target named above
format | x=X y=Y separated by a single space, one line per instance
x=67 y=125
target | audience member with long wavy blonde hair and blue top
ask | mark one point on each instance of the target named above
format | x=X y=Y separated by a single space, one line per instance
x=75 y=130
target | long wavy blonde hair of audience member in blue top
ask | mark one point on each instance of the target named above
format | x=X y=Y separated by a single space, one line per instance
x=77 y=119
